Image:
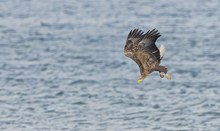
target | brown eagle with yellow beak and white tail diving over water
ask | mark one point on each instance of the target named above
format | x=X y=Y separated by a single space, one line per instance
x=141 y=48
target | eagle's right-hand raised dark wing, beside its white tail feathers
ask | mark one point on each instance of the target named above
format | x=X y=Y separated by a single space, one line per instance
x=147 y=43
